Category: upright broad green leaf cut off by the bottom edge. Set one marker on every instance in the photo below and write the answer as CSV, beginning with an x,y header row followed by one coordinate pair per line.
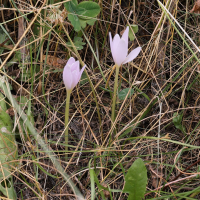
x,y
136,180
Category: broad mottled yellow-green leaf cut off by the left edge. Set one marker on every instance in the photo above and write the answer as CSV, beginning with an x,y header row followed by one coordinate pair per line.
x,y
8,151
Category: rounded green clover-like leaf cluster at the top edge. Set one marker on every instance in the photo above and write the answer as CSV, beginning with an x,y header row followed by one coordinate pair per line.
x,y
82,13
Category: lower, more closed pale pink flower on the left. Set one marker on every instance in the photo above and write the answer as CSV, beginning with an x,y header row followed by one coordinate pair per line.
x,y
72,73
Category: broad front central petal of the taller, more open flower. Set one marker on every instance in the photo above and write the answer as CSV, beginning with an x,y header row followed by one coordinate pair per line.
x,y
120,53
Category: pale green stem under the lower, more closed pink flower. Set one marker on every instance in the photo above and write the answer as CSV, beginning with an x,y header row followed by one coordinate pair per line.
x,y
66,122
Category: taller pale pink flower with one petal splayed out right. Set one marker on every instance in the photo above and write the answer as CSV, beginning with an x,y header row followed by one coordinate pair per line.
x,y
119,49
